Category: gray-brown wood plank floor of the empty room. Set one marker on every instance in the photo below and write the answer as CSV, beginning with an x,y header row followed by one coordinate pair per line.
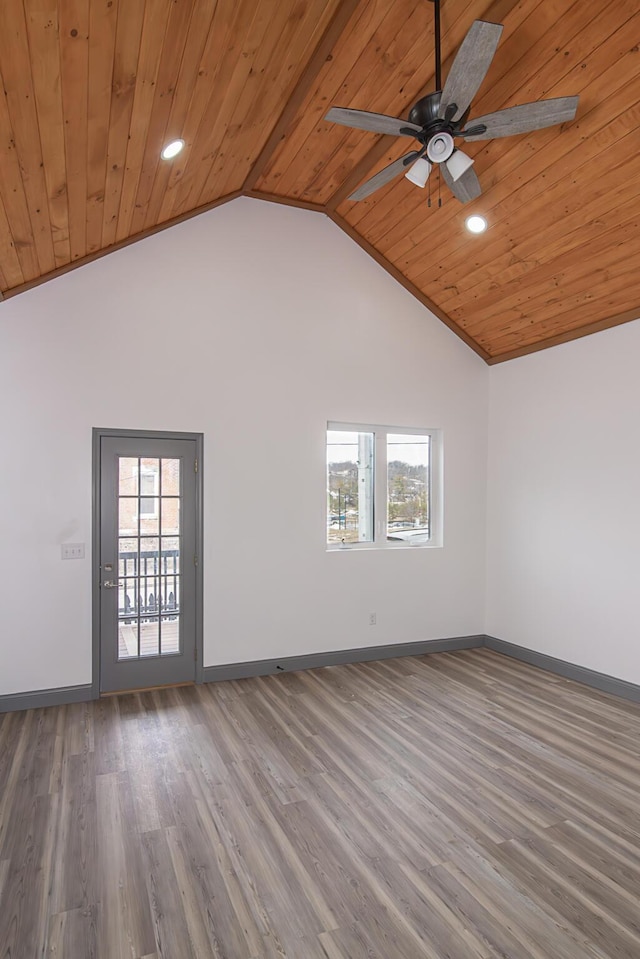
x,y
452,806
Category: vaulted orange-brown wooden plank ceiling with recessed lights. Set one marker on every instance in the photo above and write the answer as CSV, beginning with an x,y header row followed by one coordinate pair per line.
x,y
93,89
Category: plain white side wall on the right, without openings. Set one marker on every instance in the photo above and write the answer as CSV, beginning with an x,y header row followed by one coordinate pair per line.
x,y
564,502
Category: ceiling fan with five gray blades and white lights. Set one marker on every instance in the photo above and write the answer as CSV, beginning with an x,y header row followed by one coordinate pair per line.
x,y
436,120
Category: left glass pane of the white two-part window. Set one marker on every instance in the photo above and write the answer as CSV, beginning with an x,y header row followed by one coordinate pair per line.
x,y
349,487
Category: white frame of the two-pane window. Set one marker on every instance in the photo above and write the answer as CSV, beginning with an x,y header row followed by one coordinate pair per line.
x,y
435,481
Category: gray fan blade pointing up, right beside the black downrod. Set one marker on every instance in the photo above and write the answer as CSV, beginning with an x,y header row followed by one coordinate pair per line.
x,y
469,68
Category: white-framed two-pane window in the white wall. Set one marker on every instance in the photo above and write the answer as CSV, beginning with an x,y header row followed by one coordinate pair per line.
x,y
383,486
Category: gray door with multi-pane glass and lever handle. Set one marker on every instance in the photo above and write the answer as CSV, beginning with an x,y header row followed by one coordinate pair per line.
x,y
147,556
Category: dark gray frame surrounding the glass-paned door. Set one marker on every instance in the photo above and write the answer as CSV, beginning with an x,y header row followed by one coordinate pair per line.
x,y
97,434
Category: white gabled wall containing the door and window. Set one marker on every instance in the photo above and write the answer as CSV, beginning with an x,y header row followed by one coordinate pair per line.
x,y
268,322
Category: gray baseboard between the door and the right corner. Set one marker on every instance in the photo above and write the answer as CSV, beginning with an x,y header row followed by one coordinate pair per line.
x,y
337,657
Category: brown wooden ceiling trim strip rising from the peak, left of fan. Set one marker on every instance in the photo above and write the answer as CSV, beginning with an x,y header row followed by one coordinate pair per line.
x,y
339,20
